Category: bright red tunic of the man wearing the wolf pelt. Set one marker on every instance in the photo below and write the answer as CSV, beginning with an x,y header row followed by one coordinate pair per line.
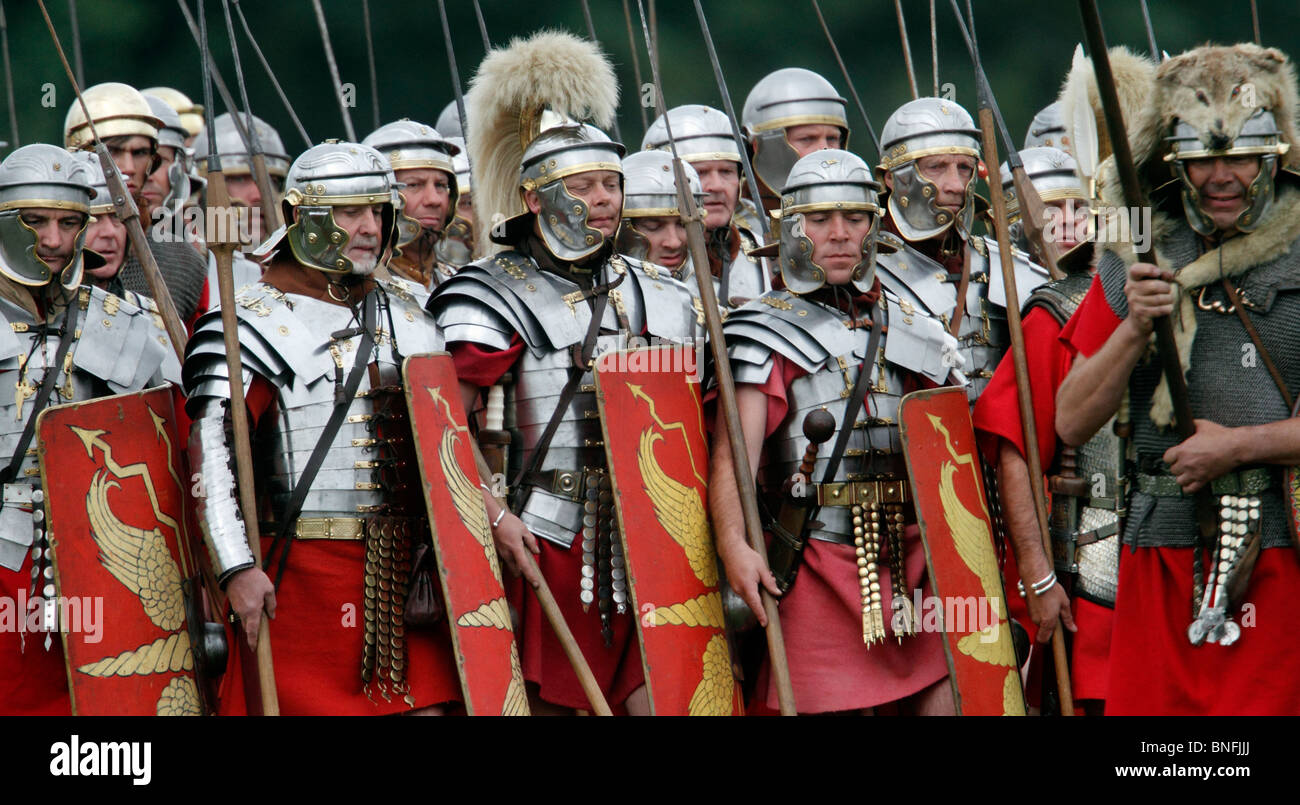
x,y
1154,666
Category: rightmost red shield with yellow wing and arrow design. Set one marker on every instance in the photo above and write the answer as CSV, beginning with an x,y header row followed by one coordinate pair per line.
x,y
939,443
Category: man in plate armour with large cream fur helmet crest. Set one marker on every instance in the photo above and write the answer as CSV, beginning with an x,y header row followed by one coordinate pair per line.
x,y
539,311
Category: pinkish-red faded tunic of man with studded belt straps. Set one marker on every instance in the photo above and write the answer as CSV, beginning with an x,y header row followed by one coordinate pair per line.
x,y
831,669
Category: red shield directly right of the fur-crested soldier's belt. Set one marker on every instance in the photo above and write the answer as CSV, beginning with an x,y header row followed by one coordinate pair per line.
x,y
655,438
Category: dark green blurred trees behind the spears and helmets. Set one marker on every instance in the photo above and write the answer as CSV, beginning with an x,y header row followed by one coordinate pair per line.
x,y
1026,49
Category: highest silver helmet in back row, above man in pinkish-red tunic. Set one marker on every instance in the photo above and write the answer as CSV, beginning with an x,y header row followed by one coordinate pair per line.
x,y
791,97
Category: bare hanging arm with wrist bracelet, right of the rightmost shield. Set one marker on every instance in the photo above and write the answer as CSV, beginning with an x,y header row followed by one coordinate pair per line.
x,y
1022,526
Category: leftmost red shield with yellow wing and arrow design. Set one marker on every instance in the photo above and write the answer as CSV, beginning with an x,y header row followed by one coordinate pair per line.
x,y
116,516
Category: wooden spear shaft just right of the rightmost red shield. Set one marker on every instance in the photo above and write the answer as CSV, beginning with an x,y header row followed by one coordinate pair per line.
x,y
1024,393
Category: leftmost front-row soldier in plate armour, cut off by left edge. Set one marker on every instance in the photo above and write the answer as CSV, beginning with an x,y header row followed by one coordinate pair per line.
x,y
45,197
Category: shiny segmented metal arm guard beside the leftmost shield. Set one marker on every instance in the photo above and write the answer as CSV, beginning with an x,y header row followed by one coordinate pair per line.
x,y
218,496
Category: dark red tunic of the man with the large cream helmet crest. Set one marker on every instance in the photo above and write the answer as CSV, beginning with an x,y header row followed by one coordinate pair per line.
x,y
617,669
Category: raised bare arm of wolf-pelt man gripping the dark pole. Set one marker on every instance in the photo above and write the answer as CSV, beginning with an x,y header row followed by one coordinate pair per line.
x,y
1095,387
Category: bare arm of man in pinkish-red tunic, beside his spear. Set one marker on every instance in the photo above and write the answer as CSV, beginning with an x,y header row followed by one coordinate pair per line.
x,y
746,568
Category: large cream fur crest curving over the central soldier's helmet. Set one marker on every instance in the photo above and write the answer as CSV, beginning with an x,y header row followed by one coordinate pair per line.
x,y
549,70
